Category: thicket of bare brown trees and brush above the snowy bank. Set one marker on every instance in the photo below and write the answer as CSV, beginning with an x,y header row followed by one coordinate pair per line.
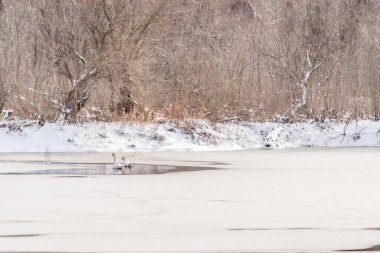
x,y
251,59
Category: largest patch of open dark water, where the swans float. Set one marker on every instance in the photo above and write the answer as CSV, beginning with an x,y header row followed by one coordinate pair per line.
x,y
82,170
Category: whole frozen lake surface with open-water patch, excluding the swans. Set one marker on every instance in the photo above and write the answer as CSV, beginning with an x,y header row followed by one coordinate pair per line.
x,y
241,201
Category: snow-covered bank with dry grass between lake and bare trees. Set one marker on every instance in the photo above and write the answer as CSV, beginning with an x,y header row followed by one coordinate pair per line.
x,y
193,135
